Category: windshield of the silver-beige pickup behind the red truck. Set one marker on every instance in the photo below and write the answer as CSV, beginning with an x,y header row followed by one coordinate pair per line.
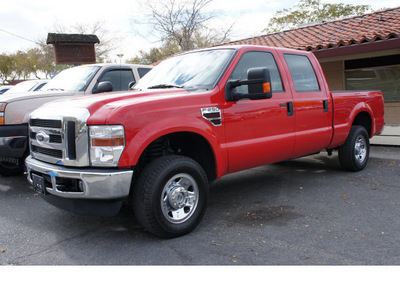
x,y
74,79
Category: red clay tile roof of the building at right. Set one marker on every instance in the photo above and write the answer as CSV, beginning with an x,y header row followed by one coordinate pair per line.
x,y
380,25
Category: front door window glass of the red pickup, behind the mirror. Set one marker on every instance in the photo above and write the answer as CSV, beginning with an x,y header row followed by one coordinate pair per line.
x,y
256,59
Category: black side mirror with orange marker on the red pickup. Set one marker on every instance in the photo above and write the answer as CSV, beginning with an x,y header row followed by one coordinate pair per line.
x,y
258,82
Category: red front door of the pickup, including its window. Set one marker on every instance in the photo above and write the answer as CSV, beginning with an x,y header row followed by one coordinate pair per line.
x,y
259,132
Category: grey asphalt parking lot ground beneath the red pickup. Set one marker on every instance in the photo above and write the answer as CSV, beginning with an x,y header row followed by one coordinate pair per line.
x,y
306,211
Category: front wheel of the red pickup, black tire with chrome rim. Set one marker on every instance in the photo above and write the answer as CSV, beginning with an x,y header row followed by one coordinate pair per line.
x,y
170,196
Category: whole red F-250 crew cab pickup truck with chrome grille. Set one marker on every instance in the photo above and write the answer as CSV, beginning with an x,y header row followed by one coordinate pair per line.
x,y
194,118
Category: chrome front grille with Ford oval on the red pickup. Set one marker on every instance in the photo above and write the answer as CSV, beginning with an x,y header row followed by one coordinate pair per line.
x,y
61,140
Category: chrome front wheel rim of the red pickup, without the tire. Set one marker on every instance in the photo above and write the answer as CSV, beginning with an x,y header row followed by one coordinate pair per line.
x,y
179,198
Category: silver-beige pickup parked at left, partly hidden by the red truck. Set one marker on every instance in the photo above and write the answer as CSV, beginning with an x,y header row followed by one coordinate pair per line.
x,y
78,81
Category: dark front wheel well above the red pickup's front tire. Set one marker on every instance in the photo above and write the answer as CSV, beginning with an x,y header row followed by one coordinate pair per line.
x,y
181,143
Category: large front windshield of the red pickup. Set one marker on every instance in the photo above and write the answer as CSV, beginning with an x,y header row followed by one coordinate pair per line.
x,y
193,70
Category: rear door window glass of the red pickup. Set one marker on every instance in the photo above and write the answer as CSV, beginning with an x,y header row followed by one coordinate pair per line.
x,y
302,72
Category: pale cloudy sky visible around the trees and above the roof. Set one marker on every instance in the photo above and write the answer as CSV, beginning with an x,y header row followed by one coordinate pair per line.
x,y
24,22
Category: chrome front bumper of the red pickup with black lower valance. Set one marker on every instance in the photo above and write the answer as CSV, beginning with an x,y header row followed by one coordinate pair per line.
x,y
82,191
